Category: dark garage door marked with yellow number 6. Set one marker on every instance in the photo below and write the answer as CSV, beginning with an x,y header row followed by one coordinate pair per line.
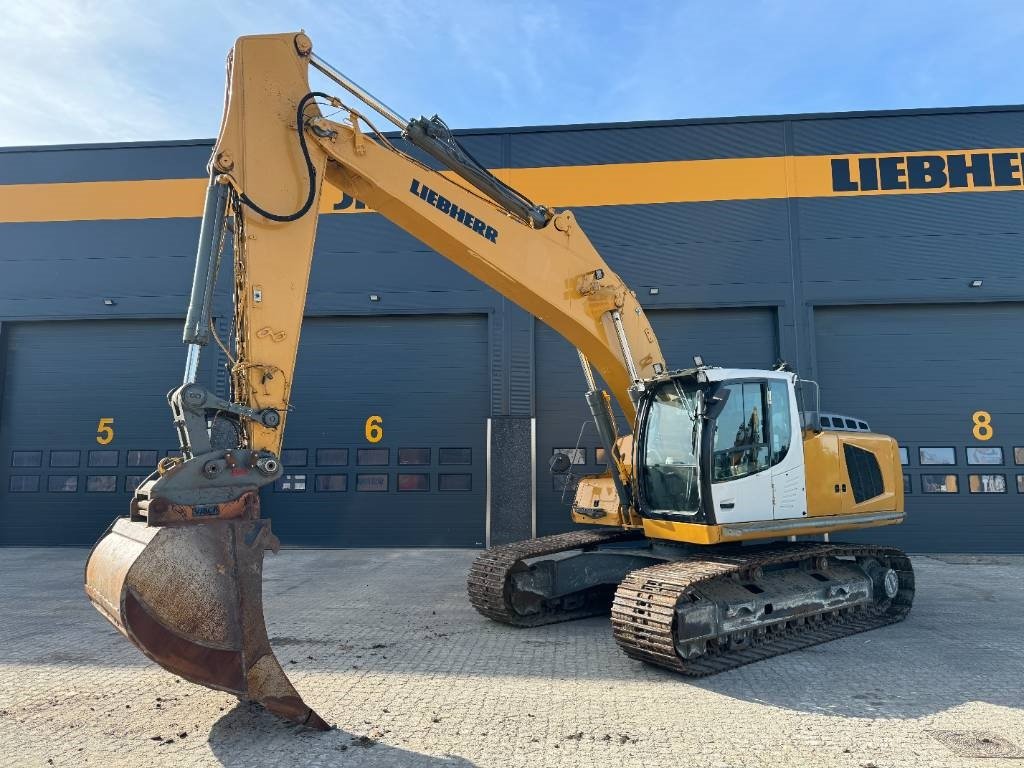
x,y
387,443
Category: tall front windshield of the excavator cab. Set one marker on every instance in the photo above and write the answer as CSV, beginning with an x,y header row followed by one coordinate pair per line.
x,y
671,478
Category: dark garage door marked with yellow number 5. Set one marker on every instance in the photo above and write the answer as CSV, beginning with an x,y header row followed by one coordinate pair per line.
x,y
84,418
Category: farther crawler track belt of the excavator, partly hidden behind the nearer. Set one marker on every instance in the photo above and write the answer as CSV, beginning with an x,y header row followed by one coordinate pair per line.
x,y
489,583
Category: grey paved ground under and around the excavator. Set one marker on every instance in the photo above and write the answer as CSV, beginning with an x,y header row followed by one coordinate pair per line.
x,y
385,645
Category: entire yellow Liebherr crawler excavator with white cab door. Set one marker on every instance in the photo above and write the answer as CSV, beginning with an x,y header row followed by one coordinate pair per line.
x,y
719,459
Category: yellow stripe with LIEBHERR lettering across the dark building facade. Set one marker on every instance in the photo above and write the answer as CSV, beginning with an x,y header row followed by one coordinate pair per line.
x,y
579,187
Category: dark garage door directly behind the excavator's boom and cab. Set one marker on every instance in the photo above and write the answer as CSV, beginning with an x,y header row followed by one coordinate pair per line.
x,y
736,338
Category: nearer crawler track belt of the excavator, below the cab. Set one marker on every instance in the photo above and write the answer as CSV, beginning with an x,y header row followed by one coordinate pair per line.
x,y
644,611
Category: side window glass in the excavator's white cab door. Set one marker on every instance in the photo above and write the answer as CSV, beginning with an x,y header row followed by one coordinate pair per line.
x,y
741,443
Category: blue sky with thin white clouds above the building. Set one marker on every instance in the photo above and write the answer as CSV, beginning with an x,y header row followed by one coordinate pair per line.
x,y
116,71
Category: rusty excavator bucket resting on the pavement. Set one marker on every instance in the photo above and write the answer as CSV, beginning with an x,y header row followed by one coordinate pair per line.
x,y
191,598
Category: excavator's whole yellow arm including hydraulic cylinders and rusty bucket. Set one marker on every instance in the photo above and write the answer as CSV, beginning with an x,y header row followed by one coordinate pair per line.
x,y
182,576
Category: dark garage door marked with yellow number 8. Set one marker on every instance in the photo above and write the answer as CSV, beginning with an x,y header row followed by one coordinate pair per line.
x,y
946,382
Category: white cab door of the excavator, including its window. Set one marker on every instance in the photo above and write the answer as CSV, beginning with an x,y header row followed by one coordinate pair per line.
x,y
742,482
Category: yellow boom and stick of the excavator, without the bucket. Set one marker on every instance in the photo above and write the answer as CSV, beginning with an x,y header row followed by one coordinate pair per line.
x,y
276,151
